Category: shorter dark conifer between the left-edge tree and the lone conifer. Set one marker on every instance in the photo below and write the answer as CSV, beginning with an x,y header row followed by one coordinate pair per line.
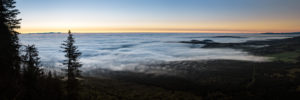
x,y
31,73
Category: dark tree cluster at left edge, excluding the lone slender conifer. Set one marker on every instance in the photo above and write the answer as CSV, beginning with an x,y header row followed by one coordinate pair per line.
x,y
30,83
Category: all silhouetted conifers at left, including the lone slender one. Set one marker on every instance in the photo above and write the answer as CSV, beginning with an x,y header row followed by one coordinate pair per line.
x,y
21,77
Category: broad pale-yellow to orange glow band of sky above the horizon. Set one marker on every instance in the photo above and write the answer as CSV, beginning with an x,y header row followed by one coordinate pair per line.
x,y
204,27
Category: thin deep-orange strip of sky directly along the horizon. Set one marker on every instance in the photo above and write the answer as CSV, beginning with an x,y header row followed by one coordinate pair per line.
x,y
145,30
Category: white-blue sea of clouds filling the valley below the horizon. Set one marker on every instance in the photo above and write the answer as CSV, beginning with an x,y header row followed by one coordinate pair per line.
x,y
127,51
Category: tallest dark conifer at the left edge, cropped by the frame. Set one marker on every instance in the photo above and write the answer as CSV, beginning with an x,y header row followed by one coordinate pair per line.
x,y
9,50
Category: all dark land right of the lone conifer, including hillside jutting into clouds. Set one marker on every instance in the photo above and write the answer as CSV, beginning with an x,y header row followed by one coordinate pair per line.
x,y
212,79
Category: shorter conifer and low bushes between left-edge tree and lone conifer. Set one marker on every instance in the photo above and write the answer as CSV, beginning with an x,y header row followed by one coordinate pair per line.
x,y
37,85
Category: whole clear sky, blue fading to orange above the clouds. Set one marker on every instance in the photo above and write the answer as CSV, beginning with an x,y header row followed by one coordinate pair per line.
x,y
165,16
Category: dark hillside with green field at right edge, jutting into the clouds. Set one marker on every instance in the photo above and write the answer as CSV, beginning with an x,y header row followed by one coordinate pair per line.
x,y
286,50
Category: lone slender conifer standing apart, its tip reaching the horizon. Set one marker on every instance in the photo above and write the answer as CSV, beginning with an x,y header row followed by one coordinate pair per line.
x,y
73,65
